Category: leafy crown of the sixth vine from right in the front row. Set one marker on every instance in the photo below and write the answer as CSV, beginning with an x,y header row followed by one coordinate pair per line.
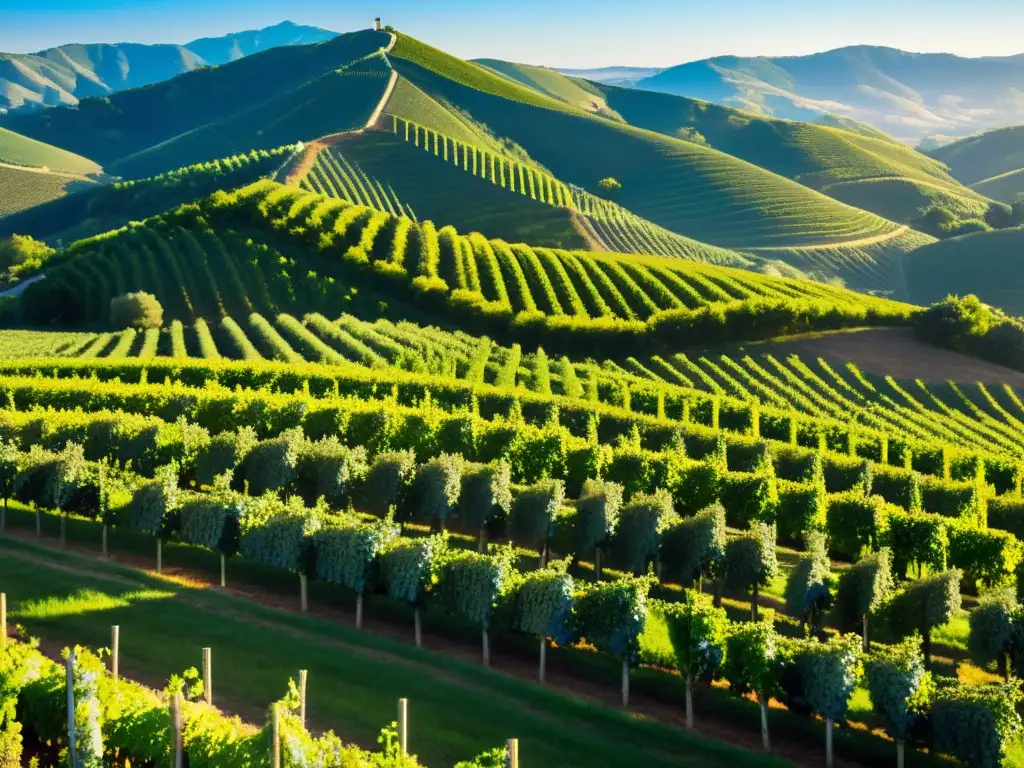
x,y
612,616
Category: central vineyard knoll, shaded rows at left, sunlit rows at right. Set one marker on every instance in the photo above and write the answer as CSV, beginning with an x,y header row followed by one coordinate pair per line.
x,y
227,260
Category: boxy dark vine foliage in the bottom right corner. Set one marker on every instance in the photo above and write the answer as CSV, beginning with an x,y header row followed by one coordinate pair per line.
x,y
976,723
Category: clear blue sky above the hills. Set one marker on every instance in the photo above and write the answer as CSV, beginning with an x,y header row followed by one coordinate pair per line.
x,y
559,33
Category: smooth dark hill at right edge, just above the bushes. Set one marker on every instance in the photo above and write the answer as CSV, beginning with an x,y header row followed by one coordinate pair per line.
x,y
986,264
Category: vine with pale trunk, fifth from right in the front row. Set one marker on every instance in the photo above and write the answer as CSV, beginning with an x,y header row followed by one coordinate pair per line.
x,y
698,630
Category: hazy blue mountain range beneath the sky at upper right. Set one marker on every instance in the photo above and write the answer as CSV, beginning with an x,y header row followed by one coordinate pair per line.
x,y
910,96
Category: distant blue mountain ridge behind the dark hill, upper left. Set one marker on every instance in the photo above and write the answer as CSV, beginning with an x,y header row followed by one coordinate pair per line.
x,y
63,76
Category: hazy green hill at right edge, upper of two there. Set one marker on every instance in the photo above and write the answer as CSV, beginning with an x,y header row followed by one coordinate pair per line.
x,y
990,162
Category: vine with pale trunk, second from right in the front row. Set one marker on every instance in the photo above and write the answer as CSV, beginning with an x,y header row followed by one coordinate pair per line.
x,y
901,689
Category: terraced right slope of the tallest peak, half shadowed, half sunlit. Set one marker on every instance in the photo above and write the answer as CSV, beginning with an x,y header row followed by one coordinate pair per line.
x,y
682,187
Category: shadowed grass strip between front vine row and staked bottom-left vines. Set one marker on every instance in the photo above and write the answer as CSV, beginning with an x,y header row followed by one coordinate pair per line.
x,y
457,709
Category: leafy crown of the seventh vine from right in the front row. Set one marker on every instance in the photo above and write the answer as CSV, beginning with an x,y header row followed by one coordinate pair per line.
x,y
543,604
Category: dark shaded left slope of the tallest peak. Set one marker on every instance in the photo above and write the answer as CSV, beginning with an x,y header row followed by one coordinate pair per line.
x,y
215,113
